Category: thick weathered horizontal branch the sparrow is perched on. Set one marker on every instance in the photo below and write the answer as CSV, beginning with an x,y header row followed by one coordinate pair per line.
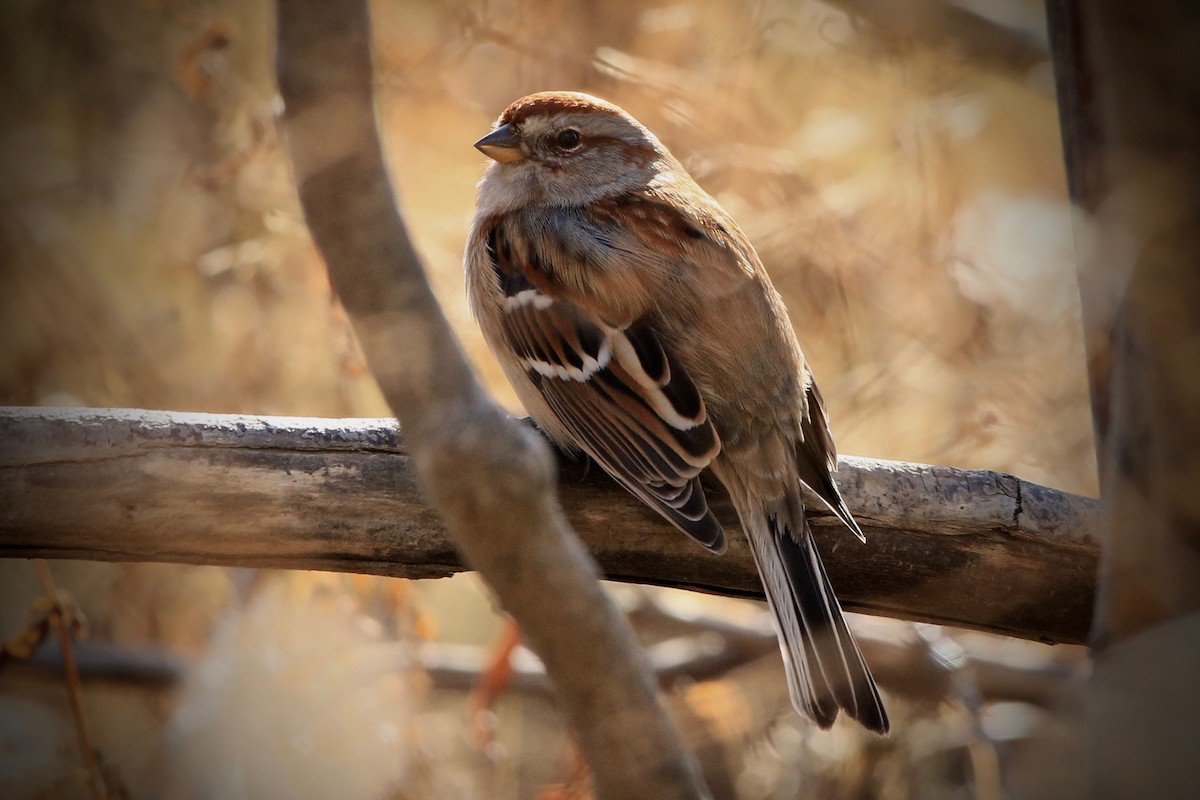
x,y
971,549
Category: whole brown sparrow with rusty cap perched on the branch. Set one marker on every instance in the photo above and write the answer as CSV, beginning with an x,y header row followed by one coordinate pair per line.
x,y
637,324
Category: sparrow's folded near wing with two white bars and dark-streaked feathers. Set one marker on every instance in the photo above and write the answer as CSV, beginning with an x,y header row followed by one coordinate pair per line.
x,y
622,398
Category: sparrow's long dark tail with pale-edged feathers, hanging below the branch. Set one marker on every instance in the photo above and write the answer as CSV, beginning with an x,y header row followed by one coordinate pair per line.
x,y
826,671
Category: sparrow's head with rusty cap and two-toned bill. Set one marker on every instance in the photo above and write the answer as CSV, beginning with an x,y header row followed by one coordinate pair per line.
x,y
563,148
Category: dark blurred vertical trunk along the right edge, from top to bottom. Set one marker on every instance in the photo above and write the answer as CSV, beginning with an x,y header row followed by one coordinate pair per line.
x,y
1130,89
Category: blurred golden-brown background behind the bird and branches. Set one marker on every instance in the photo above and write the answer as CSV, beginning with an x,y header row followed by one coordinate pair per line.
x,y
898,166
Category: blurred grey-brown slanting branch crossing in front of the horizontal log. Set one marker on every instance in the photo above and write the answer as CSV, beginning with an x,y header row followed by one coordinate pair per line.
x,y
490,479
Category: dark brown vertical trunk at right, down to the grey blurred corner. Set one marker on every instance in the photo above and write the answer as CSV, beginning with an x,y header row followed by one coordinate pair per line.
x,y
1131,101
